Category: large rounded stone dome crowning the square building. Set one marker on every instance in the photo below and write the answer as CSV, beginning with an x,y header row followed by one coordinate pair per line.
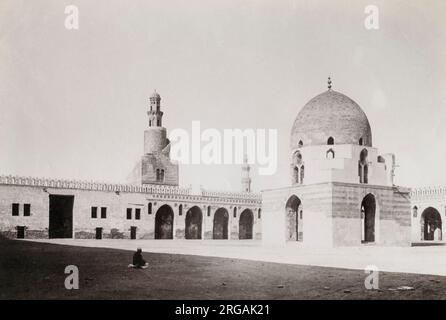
x,y
331,114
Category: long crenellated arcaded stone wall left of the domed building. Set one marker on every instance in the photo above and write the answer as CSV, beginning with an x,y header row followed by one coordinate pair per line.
x,y
116,225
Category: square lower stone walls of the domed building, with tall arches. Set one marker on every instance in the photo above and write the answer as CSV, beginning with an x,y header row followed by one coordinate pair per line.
x,y
332,214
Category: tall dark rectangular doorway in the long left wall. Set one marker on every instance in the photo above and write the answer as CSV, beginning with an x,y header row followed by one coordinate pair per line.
x,y
61,216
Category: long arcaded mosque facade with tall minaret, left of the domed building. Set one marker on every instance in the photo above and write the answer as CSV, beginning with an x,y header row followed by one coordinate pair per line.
x,y
153,206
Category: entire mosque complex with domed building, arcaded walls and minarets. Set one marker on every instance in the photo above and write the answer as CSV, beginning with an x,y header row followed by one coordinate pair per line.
x,y
341,193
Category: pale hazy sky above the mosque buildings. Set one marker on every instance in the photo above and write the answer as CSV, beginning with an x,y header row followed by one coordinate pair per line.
x,y
73,103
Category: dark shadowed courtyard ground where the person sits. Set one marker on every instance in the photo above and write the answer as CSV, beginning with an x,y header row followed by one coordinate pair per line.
x,y
35,270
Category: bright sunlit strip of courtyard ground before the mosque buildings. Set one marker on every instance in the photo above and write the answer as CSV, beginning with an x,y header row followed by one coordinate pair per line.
x,y
419,259
